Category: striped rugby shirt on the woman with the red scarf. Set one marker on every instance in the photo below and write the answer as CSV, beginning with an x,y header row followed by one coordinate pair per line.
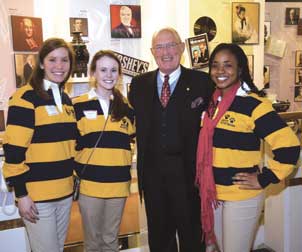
x,y
237,145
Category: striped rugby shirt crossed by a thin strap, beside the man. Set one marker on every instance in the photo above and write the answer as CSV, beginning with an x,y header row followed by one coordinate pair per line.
x,y
108,173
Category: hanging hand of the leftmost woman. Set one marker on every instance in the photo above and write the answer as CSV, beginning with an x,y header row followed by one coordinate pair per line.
x,y
28,209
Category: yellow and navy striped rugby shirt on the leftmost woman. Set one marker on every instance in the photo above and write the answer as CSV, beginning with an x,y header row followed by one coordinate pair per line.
x,y
39,146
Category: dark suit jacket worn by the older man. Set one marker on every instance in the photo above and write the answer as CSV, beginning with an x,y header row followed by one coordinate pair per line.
x,y
196,91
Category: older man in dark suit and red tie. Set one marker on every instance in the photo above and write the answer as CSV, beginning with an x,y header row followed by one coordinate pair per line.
x,y
168,103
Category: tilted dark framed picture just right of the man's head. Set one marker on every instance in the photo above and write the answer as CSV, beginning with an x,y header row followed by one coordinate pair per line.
x,y
198,50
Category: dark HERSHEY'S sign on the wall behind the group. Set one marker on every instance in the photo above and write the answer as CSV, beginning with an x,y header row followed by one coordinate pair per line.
x,y
132,66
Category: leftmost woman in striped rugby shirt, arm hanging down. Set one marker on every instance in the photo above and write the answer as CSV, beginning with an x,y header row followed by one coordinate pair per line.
x,y
39,147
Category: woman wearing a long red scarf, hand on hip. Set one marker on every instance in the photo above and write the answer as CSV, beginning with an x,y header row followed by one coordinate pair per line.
x,y
229,156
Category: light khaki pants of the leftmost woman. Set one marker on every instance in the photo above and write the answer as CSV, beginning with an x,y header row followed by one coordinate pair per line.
x,y
49,232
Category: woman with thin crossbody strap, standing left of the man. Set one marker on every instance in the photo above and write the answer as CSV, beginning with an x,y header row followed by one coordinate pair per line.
x,y
106,125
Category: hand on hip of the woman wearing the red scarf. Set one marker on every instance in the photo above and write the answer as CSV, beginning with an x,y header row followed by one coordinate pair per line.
x,y
247,181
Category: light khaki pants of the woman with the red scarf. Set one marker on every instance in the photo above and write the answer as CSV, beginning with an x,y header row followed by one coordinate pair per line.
x,y
236,223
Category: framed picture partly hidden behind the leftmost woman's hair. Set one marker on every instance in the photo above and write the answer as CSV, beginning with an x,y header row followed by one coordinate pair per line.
x,y
24,65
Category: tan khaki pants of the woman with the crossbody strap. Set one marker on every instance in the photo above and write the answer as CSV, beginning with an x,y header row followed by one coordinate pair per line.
x,y
101,222
